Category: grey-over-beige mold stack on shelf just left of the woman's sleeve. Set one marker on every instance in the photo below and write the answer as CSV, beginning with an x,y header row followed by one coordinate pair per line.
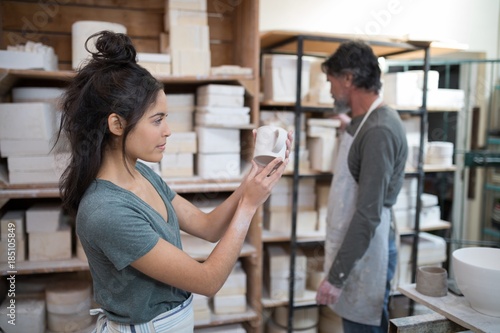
x,y
49,235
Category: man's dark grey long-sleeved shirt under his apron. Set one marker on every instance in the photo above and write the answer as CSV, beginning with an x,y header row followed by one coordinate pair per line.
x,y
376,160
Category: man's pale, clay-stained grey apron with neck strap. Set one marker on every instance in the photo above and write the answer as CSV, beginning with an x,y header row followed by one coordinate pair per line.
x,y
362,297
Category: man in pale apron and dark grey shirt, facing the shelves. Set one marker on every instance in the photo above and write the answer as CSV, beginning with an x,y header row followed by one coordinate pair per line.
x,y
360,251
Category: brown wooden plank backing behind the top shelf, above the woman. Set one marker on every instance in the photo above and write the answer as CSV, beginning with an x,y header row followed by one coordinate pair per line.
x,y
50,23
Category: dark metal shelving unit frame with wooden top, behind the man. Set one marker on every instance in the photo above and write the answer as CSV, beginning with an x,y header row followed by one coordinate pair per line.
x,y
302,44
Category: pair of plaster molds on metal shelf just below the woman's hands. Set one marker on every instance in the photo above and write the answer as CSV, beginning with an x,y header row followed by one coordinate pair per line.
x,y
278,208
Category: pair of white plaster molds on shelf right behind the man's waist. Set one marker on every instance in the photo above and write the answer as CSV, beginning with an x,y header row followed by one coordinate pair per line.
x,y
405,207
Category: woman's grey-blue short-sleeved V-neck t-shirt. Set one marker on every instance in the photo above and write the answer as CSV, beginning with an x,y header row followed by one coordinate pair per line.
x,y
116,228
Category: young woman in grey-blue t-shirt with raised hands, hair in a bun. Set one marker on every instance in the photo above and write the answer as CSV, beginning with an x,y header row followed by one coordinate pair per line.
x,y
127,218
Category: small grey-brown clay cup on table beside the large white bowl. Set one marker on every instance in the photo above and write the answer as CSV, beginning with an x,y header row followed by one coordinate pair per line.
x,y
432,281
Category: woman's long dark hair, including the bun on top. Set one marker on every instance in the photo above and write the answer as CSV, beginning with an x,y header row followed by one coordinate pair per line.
x,y
110,82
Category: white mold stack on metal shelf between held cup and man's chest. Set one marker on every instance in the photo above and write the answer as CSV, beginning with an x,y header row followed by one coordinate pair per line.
x,y
321,139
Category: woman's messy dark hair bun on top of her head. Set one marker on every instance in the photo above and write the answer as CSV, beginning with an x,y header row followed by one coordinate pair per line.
x,y
112,47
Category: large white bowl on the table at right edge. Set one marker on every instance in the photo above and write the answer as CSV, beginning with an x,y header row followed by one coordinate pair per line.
x,y
477,273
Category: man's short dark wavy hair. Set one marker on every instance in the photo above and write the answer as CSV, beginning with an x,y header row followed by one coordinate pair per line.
x,y
357,58
